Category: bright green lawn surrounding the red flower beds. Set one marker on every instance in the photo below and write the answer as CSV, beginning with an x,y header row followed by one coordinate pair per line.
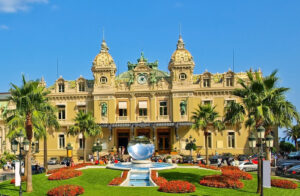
x,y
95,183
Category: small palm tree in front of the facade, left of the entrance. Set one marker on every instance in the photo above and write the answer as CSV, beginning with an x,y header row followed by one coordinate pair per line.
x,y
86,125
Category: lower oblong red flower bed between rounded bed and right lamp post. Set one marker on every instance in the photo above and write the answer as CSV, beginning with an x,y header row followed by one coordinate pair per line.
x,y
220,181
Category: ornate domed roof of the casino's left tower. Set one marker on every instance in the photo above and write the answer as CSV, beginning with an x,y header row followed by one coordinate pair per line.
x,y
104,59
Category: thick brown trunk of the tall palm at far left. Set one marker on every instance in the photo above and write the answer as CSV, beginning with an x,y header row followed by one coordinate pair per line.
x,y
29,137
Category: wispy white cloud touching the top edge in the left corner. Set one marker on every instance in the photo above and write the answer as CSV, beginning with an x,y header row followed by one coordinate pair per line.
x,y
12,6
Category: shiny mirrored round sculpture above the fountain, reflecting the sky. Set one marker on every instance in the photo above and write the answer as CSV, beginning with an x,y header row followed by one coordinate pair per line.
x,y
140,148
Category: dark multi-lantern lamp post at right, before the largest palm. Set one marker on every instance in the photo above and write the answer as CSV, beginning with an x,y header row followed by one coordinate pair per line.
x,y
268,141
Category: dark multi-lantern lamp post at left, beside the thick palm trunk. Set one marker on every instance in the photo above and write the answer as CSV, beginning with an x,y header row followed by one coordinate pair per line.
x,y
22,146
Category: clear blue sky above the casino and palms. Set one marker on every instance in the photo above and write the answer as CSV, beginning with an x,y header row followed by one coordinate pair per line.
x,y
34,33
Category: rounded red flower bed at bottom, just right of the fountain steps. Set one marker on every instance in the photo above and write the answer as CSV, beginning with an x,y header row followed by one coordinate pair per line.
x,y
177,186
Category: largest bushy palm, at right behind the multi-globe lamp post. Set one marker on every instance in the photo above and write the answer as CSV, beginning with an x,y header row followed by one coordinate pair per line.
x,y
264,104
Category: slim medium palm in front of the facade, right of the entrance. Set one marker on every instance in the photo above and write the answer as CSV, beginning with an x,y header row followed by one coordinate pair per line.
x,y
203,117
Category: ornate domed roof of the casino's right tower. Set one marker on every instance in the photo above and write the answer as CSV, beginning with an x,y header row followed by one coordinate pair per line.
x,y
181,56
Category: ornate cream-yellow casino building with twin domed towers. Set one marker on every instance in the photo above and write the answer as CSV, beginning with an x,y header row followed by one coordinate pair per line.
x,y
142,101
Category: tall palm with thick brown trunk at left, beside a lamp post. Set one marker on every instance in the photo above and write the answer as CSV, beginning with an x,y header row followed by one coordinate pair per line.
x,y
28,98
